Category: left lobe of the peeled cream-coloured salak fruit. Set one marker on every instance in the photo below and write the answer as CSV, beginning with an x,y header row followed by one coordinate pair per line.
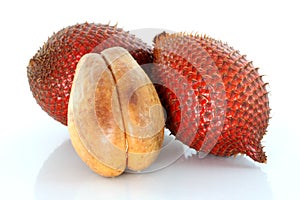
x,y
96,138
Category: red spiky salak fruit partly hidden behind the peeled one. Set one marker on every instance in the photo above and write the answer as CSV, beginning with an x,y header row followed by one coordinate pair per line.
x,y
51,70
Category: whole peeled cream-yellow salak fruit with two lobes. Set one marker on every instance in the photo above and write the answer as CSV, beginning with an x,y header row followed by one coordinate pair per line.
x,y
115,117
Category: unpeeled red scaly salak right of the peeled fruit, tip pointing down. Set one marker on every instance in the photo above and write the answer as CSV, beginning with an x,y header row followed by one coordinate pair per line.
x,y
215,100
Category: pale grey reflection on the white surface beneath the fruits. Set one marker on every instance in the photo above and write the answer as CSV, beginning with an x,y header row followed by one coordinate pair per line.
x,y
64,176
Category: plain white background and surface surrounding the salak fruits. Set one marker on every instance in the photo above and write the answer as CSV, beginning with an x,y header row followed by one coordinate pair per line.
x,y
37,160
